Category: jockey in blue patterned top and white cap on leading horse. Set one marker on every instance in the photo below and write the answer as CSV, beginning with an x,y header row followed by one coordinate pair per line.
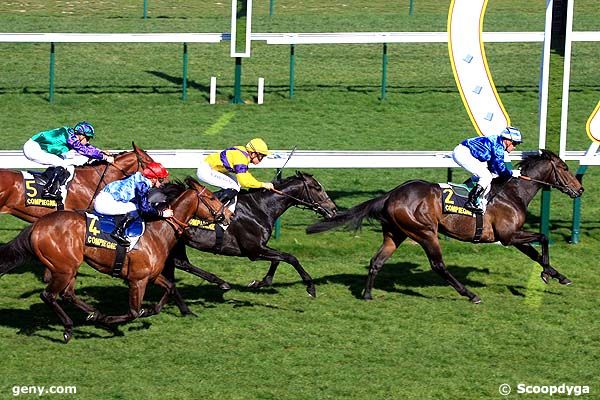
x,y
483,156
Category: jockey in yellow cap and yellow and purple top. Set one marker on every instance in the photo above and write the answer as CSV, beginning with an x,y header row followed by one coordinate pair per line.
x,y
228,170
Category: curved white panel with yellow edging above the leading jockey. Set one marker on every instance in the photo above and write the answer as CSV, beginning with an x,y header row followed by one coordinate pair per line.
x,y
470,67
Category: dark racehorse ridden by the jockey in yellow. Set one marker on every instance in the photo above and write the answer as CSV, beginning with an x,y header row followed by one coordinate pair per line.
x,y
251,228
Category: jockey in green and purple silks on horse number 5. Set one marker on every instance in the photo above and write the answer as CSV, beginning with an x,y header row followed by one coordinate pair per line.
x,y
63,148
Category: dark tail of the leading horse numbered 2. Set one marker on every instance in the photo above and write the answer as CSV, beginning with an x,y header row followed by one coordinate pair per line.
x,y
352,218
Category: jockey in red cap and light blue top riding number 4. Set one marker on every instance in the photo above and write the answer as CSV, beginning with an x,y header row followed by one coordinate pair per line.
x,y
129,195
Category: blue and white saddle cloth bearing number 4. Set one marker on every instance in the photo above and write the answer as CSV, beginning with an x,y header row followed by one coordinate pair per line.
x,y
100,226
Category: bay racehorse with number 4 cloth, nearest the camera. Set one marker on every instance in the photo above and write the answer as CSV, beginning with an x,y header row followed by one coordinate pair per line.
x,y
57,241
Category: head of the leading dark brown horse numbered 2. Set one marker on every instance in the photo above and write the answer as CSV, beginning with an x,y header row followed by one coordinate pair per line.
x,y
548,168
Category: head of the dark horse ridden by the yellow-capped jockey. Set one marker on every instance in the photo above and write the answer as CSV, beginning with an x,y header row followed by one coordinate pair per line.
x,y
309,193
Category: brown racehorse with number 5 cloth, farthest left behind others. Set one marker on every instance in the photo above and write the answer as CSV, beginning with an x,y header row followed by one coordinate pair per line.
x,y
88,180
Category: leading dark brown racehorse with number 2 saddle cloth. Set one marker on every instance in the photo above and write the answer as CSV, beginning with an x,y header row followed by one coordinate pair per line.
x,y
414,210
